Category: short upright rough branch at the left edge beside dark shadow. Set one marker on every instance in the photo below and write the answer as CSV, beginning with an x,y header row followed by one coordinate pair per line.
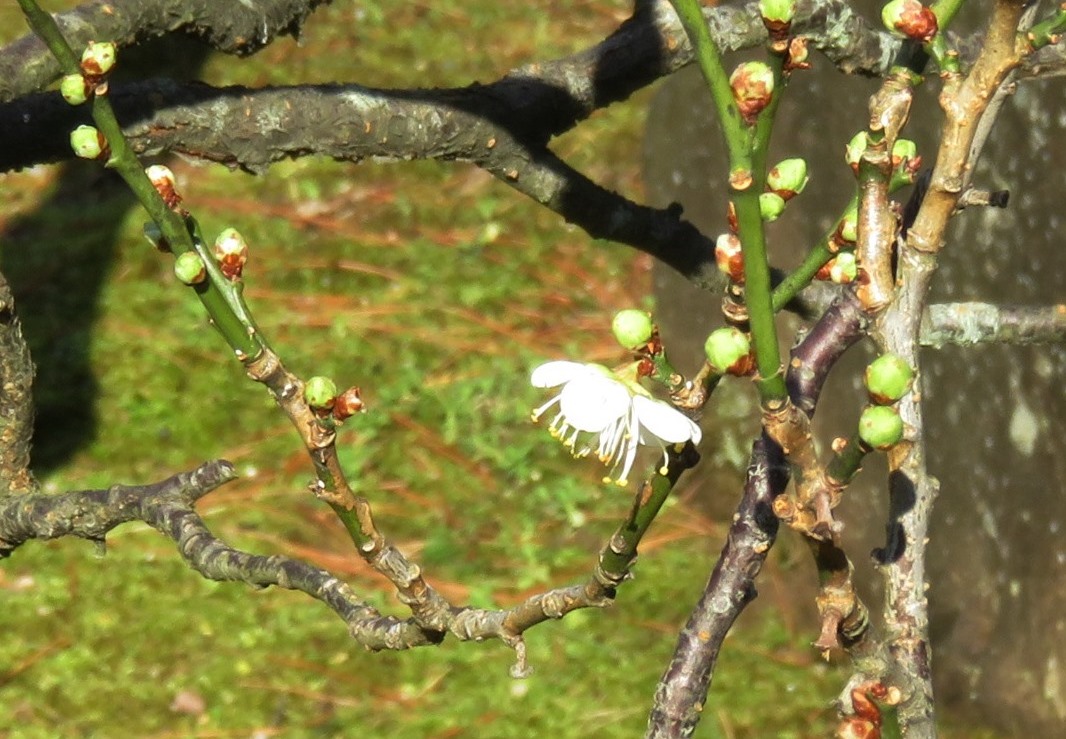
x,y
17,401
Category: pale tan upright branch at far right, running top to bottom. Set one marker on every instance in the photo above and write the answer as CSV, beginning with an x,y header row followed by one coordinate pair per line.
x,y
912,489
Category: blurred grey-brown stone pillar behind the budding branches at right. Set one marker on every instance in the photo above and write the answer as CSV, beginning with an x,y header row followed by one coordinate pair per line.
x,y
997,415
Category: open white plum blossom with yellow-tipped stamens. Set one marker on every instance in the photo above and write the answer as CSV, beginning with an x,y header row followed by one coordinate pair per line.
x,y
613,408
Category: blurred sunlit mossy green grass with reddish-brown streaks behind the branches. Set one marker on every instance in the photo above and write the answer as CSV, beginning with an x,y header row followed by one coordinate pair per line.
x,y
367,275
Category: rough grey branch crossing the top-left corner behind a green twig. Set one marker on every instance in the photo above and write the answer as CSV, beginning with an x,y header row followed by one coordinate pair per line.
x,y
233,27
